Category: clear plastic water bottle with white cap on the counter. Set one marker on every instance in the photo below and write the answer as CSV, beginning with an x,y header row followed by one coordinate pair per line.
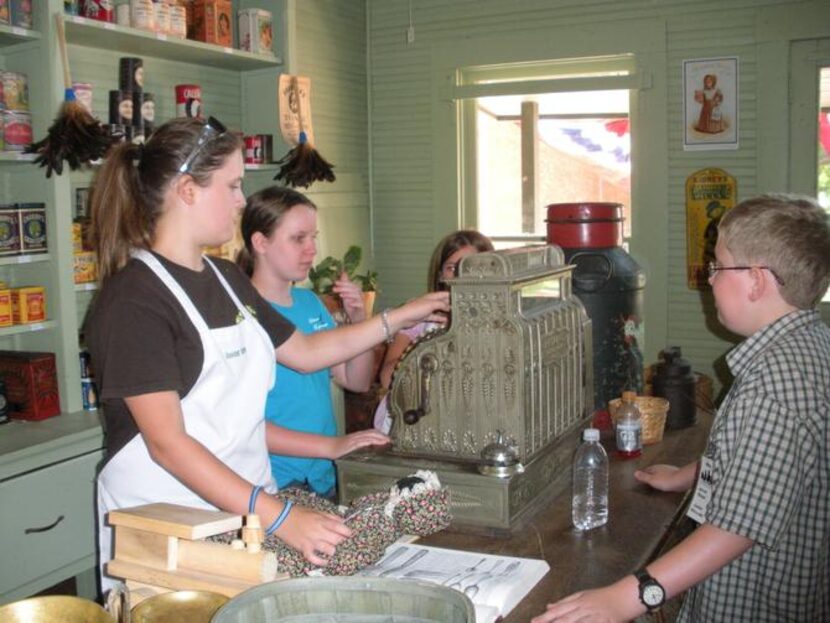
x,y
589,508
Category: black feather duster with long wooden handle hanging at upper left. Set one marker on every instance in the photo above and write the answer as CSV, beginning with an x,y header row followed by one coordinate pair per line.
x,y
75,135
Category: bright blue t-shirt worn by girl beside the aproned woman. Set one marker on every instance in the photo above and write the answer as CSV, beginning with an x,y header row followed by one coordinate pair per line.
x,y
302,402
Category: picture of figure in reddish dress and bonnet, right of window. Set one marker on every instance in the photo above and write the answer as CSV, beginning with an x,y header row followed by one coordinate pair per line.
x,y
710,103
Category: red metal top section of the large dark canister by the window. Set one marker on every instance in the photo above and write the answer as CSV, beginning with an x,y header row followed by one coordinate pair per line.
x,y
589,225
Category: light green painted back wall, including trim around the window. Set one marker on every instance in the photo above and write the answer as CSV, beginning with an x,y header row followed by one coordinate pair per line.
x,y
414,131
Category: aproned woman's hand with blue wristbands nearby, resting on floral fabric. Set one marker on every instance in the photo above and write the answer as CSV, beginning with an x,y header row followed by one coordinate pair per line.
x,y
314,534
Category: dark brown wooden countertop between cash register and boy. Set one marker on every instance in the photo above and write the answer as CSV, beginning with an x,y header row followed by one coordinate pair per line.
x,y
640,520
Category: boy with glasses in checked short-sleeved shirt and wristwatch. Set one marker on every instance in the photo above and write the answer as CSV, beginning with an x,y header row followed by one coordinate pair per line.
x,y
762,495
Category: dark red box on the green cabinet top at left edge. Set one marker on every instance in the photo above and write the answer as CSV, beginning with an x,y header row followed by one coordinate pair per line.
x,y
31,384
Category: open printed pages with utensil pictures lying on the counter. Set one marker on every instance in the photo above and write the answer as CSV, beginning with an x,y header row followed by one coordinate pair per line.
x,y
495,584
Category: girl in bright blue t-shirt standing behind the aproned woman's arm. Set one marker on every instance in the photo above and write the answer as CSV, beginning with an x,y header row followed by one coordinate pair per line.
x,y
279,228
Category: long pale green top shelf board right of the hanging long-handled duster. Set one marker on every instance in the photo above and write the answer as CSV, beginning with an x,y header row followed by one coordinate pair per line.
x,y
108,36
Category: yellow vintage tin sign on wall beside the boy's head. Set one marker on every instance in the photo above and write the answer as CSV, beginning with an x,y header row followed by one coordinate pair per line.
x,y
709,194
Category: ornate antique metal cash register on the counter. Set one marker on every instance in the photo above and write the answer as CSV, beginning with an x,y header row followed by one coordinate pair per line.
x,y
495,402
